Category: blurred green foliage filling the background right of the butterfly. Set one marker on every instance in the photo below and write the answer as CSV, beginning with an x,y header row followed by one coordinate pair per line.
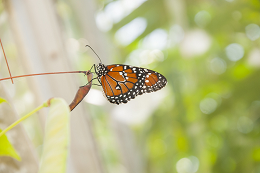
x,y
212,115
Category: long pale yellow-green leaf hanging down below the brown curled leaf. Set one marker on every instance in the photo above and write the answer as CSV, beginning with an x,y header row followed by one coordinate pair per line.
x,y
56,140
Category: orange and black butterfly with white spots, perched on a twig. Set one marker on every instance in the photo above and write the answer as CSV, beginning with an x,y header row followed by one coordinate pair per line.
x,y
122,83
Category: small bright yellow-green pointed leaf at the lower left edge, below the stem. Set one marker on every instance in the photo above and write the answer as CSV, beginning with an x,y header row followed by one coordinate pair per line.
x,y
6,148
